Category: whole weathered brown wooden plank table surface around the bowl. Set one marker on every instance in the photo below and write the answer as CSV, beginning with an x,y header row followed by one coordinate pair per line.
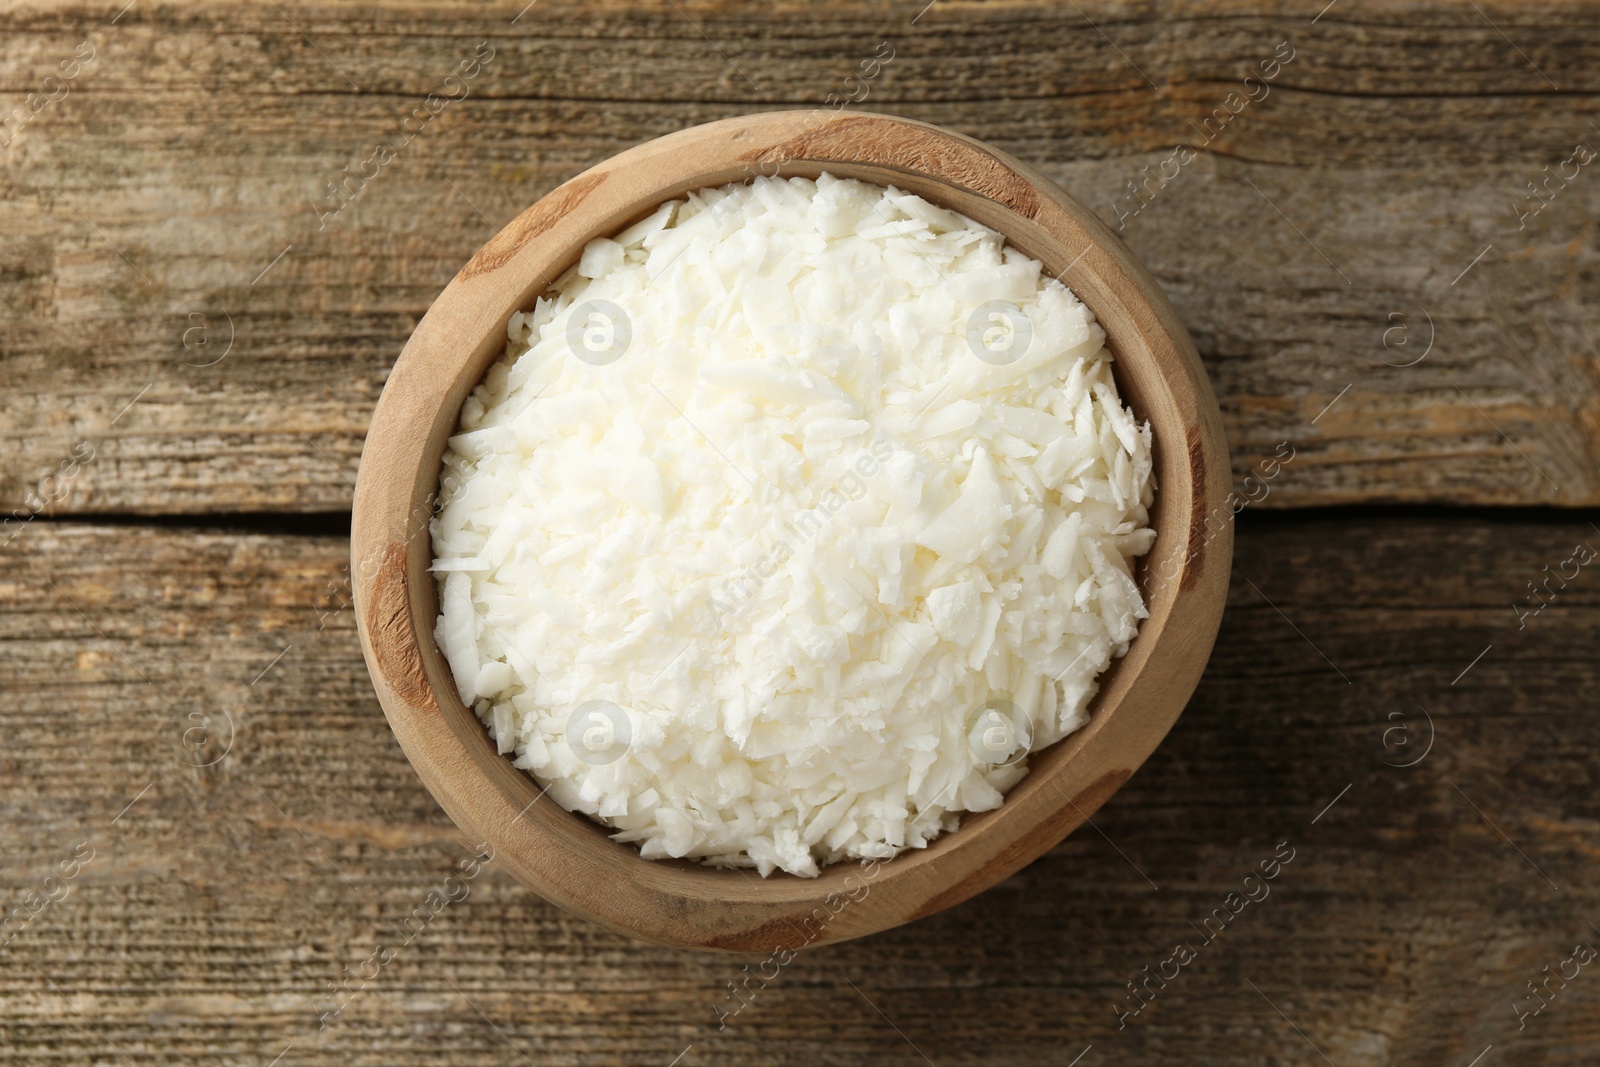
x,y
207,823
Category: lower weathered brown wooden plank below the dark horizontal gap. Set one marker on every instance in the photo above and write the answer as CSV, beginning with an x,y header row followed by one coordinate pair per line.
x,y
217,909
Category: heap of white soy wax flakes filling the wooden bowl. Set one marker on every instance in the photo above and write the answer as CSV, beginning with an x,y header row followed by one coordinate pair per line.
x,y
794,518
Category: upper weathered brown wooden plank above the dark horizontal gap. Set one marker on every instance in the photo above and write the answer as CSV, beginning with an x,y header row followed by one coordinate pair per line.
x,y
182,175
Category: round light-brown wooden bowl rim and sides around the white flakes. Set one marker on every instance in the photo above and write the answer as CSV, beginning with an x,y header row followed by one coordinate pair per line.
x,y
567,858
